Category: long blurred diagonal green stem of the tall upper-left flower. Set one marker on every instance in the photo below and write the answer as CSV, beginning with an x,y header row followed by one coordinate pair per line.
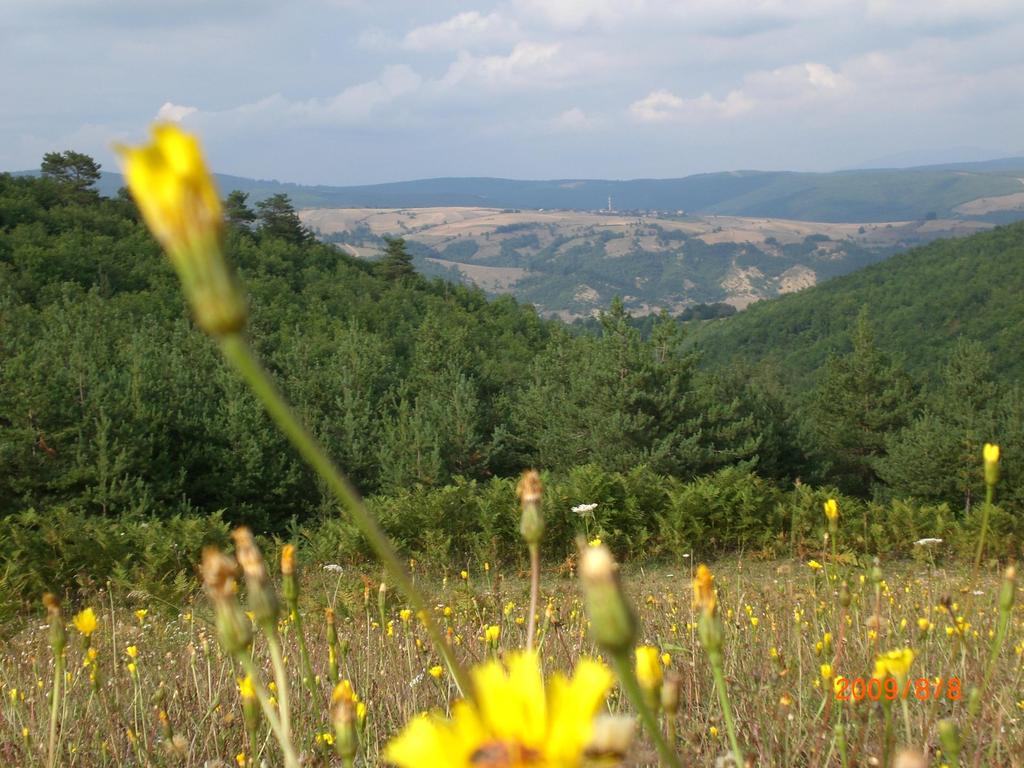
x,y
240,355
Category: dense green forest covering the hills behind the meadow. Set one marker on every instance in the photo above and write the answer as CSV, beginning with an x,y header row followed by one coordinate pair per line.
x,y
112,403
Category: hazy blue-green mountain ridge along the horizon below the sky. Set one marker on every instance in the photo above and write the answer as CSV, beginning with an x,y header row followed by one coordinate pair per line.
x,y
858,196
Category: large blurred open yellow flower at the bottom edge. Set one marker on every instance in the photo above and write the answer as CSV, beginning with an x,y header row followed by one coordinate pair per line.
x,y
516,724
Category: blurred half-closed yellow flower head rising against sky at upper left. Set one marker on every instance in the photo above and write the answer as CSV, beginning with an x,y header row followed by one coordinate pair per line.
x,y
176,194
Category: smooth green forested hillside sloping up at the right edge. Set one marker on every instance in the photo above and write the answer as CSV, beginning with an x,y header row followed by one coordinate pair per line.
x,y
920,302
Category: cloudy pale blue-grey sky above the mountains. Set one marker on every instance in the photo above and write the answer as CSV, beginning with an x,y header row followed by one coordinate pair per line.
x,y
361,92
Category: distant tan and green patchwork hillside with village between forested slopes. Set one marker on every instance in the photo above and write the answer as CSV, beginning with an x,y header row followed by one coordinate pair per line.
x,y
572,264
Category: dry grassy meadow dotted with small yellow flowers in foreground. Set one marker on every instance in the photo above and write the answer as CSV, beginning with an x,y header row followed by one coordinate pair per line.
x,y
158,691
